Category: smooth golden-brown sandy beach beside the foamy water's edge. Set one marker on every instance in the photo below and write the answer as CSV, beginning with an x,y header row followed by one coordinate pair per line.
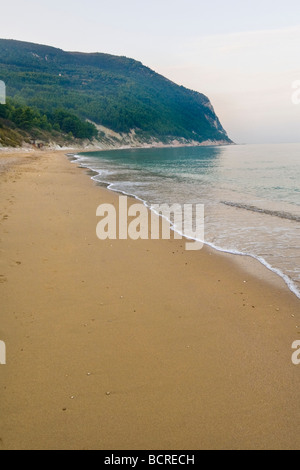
x,y
133,344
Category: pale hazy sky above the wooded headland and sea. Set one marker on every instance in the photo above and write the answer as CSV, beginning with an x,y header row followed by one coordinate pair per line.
x,y
244,55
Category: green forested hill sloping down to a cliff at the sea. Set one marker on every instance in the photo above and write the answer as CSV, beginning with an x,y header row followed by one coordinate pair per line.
x,y
118,93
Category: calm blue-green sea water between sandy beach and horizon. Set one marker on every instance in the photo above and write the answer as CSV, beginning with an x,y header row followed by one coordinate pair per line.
x,y
251,194
